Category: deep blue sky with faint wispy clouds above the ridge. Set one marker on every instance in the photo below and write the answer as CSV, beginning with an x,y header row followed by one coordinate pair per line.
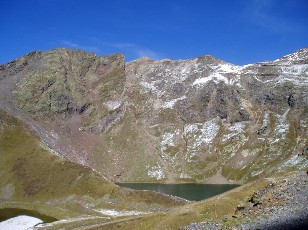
x,y
239,31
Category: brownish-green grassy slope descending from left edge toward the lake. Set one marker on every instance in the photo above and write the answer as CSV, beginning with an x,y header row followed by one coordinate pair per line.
x,y
33,178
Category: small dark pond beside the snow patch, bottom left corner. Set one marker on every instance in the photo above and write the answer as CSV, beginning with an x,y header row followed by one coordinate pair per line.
x,y
7,213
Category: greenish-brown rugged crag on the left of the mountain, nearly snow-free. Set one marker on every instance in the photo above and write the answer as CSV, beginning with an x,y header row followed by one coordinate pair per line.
x,y
65,83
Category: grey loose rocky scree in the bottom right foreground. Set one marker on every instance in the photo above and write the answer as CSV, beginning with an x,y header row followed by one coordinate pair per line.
x,y
280,205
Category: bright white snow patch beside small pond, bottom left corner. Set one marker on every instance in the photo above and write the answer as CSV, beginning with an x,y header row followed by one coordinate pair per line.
x,y
20,223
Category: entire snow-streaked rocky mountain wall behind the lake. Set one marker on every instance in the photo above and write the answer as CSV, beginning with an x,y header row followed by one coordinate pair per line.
x,y
190,120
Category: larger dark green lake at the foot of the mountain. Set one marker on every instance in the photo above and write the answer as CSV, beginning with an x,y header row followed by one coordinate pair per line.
x,y
187,191
